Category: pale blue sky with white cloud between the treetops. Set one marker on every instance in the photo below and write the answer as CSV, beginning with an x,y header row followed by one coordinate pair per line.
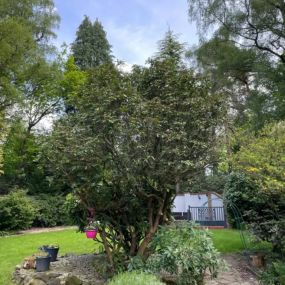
x,y
133,26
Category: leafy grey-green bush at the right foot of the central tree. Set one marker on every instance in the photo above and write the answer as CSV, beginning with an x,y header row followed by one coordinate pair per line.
x,y
184,252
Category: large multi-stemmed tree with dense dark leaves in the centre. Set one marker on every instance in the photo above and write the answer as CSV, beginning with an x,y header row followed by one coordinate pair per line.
x,y
132,139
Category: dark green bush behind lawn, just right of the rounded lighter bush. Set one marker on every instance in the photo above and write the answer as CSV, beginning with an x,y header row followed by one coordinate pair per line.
x,y
50,211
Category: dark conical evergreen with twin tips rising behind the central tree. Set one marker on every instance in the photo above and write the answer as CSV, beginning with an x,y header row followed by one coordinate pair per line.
x,y
91,47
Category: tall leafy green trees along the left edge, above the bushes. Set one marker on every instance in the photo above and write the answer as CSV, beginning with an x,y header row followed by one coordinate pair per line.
x,y
28,84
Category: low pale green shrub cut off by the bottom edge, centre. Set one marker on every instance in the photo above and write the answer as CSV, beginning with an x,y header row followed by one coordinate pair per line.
x,y
134,277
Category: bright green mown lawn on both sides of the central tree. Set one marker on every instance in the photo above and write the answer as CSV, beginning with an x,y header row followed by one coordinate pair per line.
x,y
14,249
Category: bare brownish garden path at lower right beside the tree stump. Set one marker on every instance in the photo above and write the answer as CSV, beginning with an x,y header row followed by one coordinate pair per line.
x,y
238,272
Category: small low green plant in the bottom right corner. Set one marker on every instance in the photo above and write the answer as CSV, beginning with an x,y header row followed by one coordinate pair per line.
x,y
274,274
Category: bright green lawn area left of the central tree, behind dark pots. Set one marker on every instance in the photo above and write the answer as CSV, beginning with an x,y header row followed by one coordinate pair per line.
x,y
14,249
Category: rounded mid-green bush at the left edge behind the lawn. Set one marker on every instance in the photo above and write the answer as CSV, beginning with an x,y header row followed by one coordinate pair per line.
x,y
17,211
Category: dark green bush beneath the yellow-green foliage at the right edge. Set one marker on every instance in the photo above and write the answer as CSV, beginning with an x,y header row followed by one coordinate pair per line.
x,y
264,211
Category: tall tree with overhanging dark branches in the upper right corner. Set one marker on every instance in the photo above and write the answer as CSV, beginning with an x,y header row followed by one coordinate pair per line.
x,y
245,55
